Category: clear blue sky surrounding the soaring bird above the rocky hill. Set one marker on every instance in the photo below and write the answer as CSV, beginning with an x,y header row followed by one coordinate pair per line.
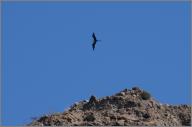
x,y
48,62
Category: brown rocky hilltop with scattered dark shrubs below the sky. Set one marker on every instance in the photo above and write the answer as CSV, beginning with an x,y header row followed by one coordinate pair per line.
x,y
134,107
